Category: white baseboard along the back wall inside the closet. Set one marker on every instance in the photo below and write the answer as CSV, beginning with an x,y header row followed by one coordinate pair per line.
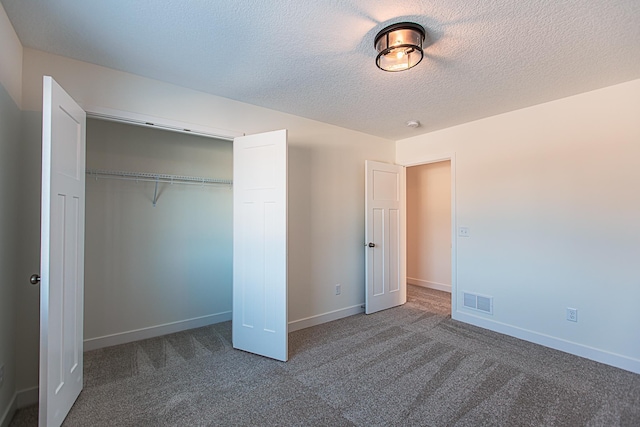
x,y
154,331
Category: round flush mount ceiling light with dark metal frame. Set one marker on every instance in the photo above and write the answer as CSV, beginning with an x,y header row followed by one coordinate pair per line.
x,y
399,46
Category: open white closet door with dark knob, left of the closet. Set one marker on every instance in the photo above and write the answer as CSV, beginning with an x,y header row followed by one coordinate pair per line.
x,y
62,253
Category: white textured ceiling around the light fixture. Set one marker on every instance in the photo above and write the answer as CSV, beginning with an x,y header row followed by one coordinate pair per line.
x,y
316,58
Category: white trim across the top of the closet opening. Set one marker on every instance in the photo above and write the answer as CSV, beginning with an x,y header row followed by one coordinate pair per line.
x,y
137,119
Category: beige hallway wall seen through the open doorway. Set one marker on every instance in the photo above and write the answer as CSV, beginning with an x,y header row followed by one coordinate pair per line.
x,y
429,225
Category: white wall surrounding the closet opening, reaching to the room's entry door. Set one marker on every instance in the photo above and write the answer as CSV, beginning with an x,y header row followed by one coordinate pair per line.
x,y
326,183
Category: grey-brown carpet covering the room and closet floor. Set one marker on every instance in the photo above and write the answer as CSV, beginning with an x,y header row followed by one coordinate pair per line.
x,y
410,365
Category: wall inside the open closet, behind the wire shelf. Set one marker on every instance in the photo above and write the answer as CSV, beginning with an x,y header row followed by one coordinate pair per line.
x,y
151,268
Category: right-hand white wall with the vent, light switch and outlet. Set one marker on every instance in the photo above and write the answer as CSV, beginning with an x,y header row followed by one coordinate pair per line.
x,y
549,194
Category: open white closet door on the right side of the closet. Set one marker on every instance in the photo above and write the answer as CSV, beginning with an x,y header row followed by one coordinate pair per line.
x,y
260,244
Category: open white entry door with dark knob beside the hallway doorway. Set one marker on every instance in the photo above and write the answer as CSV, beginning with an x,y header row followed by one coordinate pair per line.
x,y
385,236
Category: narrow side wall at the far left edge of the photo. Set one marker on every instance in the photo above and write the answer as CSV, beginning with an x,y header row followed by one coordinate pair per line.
x,y
10,100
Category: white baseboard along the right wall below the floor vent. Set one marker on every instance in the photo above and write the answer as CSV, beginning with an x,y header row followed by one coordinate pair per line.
x,y
602,356
